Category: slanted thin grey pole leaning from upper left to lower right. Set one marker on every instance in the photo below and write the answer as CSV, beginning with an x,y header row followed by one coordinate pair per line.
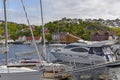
x,y
30,29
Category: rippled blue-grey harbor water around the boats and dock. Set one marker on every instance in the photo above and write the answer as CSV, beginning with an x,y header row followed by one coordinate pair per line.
x,y
104,73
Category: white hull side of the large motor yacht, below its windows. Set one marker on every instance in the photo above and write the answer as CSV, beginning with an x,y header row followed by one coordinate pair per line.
x,y
77,58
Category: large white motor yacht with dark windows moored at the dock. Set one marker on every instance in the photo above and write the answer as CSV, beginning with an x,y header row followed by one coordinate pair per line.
x,y
86,52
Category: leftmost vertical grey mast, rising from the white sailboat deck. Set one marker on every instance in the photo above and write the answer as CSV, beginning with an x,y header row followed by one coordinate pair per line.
x,y
6,33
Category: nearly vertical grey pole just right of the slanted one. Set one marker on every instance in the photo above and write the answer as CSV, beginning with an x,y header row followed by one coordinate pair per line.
x,y
43,30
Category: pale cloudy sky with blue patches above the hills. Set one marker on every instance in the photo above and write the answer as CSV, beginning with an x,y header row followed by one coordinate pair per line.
x,y
58,9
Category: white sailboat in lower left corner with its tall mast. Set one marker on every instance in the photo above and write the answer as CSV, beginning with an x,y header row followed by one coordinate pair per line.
x,y
15,73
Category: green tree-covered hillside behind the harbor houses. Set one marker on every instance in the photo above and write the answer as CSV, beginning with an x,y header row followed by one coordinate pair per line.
x,y
82,29
